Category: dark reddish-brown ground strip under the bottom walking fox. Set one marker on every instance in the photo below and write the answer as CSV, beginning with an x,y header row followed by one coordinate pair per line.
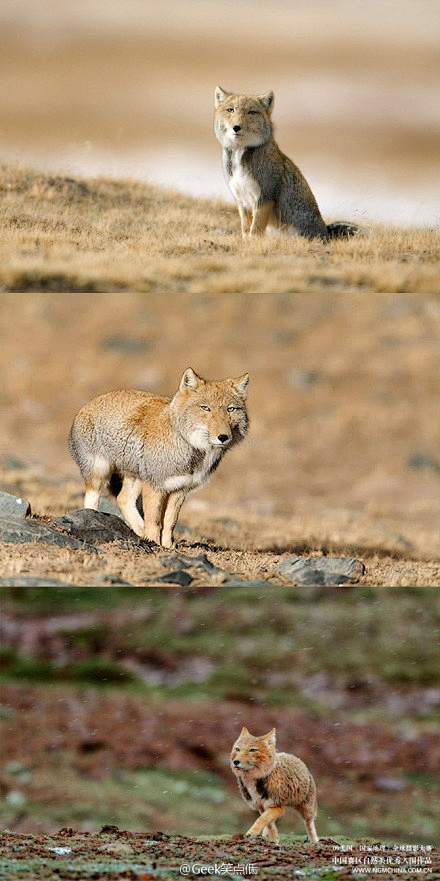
x,y
111,854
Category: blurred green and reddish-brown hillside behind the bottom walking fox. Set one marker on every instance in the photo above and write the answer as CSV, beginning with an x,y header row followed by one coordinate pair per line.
x,y
120,706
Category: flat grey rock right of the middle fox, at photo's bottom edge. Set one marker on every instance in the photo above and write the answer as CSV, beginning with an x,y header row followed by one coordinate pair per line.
x,y
329,571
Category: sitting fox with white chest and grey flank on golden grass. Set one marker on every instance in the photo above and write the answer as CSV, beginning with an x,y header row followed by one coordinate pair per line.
x,y
269,189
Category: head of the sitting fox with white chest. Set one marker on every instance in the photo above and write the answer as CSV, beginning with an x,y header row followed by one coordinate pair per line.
x,y
242,121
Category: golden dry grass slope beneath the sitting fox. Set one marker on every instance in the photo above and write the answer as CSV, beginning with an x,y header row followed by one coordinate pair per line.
x,y
63,233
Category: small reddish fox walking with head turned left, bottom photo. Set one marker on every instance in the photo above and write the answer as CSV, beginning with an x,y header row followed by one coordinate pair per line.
x,y
270,782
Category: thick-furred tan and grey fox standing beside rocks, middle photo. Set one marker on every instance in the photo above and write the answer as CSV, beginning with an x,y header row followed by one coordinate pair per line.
x,y
131,442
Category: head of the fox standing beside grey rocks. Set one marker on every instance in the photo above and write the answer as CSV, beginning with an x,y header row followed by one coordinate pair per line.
x,y
211,415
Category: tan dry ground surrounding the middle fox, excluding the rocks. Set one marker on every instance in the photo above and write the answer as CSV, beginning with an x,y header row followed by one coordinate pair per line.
x,y
342,453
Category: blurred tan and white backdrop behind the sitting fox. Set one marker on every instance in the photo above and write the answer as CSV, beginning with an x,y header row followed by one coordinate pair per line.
x,y
125,87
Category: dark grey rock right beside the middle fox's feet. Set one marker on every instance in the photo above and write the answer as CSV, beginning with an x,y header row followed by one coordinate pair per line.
x,y
97,527
